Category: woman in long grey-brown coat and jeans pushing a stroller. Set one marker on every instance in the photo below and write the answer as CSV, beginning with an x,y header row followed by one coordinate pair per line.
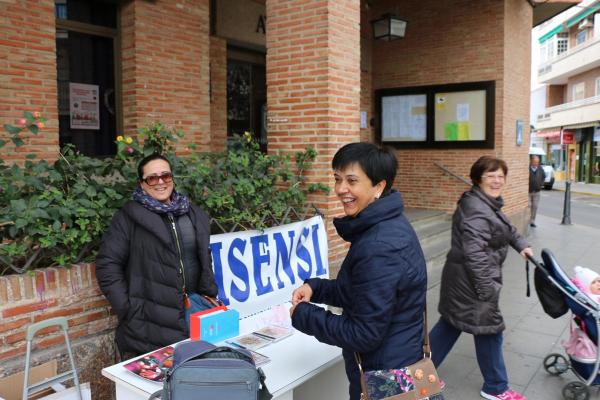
x,y
472,277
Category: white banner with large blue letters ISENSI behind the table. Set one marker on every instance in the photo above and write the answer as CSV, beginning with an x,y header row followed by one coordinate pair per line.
x,y
255,270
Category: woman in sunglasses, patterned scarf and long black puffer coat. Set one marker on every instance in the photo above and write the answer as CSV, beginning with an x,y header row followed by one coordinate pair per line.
x,y
154,254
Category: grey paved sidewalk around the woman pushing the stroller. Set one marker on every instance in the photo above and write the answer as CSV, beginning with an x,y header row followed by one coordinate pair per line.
x,y
530,335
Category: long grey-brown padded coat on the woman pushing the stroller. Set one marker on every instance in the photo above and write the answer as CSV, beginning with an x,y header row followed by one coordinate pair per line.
x,y
472,275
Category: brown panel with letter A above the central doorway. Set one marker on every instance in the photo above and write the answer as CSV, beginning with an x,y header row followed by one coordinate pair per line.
x,y
241,21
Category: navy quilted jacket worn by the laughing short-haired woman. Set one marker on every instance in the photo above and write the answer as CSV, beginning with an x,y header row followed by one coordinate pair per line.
x,y
381,287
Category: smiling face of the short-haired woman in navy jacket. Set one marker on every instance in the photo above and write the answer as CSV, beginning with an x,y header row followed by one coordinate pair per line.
x,y
355,190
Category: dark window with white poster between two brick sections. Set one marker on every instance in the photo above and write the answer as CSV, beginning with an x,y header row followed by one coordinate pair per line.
x,y
85,58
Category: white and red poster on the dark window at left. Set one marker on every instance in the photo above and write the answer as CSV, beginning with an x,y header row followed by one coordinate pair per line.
x,y
84,106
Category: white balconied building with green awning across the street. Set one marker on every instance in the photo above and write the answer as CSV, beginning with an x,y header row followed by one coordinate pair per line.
x,y
570,70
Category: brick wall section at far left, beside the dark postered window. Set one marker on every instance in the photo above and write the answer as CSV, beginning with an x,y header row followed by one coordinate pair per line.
x,y
28,74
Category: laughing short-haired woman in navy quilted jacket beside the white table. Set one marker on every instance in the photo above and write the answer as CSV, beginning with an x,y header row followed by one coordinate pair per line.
x,y
382,282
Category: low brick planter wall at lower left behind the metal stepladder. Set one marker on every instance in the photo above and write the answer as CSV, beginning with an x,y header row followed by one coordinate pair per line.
x,y
70,292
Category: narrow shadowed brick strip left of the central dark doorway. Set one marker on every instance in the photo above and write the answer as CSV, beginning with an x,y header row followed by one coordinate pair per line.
x,y
218,93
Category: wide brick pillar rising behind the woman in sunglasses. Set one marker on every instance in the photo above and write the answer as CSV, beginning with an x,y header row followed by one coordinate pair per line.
x,y
166,67
